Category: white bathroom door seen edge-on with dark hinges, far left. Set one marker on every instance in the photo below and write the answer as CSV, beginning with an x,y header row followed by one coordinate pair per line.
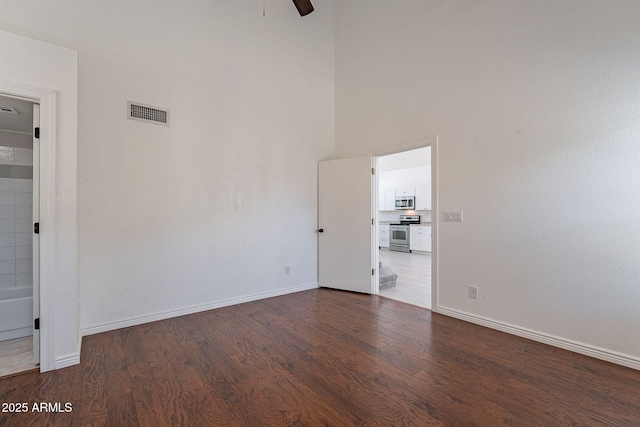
x,y
36,237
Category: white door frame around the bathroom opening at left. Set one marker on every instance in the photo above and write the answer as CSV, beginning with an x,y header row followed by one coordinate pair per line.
x,y
47,98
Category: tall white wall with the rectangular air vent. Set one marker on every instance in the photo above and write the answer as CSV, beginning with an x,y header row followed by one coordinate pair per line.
x,y
211,209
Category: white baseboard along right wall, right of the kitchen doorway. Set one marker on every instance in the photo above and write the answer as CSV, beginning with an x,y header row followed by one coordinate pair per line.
x,y
576,347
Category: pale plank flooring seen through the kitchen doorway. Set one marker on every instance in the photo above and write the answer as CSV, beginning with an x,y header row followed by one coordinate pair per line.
x,y
413,285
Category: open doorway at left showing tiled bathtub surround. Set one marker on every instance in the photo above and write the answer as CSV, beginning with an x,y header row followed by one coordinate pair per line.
x,y
19,246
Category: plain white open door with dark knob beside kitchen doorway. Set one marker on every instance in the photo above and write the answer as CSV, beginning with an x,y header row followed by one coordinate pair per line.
x,y
346,256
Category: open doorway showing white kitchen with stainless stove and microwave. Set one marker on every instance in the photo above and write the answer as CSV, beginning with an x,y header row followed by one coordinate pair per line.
x,y
405,226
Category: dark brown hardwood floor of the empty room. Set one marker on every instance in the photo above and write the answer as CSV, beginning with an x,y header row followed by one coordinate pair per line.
x,y
325,357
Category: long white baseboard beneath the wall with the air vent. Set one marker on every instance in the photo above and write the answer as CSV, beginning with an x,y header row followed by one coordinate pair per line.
x,y
133,321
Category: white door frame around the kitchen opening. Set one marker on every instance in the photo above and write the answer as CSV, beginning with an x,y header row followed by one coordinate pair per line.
x,y
431,141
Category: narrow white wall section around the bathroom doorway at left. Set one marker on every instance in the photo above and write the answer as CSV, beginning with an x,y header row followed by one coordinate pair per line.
x,y
42,65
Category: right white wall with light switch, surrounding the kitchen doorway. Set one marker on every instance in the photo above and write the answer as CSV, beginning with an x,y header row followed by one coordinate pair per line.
x,y
536,106
